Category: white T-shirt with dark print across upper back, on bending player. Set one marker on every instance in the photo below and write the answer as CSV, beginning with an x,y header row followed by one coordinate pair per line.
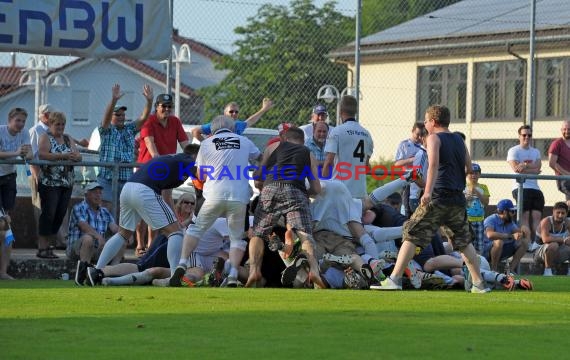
x,y
224,158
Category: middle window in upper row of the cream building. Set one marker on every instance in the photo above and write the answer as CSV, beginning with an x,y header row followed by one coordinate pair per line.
x,y
499,90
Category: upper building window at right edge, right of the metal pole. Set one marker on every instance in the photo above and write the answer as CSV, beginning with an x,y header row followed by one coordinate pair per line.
x,y
552,88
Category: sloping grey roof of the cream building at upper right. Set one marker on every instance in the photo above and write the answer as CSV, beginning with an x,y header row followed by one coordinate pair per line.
x,y
489,23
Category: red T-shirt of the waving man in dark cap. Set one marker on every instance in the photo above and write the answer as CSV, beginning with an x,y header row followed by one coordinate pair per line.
x,y
166,138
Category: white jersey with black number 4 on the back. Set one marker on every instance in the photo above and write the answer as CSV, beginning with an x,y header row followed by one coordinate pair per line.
x,y
352,145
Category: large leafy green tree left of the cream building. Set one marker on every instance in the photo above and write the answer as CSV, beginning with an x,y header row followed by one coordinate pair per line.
x,y
282,55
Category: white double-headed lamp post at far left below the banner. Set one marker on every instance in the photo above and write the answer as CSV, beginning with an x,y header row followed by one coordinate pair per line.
x,y
34,76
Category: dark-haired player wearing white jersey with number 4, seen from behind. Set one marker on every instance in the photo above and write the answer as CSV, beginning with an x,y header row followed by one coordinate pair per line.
x,y
349,147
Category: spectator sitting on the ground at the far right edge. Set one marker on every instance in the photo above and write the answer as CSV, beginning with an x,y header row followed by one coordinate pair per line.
x,y
554,234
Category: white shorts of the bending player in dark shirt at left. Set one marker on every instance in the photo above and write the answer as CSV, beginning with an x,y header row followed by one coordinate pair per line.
x,y
138,202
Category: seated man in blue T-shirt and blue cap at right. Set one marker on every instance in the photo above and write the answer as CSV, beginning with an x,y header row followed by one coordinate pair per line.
x,y
503,237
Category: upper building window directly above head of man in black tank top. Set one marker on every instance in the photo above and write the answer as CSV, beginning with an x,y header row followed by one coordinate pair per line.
x,y
444,84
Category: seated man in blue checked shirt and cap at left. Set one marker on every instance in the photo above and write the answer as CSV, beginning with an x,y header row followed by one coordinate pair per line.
x,y
88,224
